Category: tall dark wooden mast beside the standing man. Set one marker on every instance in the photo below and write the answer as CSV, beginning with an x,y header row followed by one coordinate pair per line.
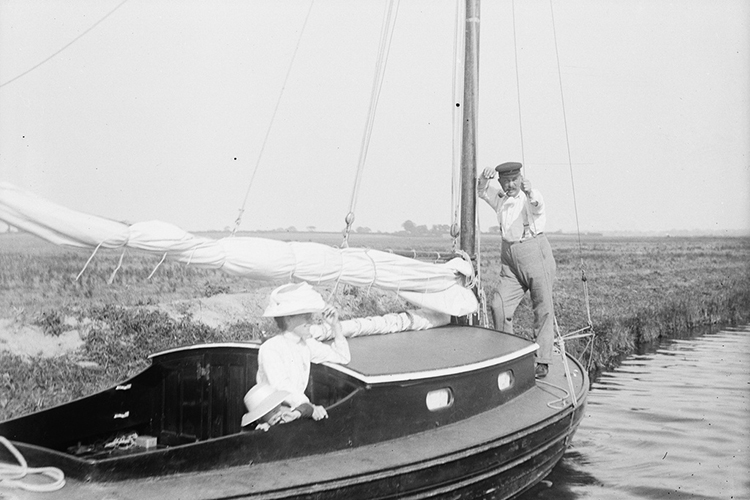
x,y
467,218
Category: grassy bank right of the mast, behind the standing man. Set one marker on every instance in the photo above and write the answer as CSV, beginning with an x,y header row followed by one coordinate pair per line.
x,y
641,290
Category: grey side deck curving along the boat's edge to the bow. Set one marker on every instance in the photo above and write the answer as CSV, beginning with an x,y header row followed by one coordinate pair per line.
x,y
535,409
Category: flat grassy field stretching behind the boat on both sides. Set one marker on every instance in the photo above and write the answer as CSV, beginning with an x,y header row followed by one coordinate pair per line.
x,y
639,290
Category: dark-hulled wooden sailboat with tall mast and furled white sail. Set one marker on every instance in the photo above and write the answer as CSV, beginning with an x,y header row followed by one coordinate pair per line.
x,y
452,411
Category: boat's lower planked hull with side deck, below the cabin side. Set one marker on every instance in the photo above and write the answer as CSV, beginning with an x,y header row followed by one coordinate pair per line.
x,y
419,466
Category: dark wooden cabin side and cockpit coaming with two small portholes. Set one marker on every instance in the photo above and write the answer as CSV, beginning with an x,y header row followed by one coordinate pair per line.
x,y
393,410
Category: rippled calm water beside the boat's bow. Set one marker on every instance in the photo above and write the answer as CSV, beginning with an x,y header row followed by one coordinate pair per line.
x,y
670,424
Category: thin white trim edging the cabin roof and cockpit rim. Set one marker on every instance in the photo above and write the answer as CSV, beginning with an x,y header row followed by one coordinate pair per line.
x,y
376,379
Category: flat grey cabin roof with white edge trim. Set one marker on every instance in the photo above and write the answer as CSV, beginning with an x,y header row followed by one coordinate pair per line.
x,y
413,355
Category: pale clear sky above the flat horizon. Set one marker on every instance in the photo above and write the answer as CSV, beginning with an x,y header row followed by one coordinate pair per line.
x,y
629,115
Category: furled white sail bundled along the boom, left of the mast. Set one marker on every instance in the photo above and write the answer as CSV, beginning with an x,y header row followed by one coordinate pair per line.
x,y
439,287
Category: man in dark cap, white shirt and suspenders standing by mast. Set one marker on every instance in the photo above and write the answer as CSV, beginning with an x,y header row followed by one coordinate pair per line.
x,y
526,256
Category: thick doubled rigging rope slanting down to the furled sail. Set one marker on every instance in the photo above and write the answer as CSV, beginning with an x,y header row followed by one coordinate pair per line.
x,y
386,34
